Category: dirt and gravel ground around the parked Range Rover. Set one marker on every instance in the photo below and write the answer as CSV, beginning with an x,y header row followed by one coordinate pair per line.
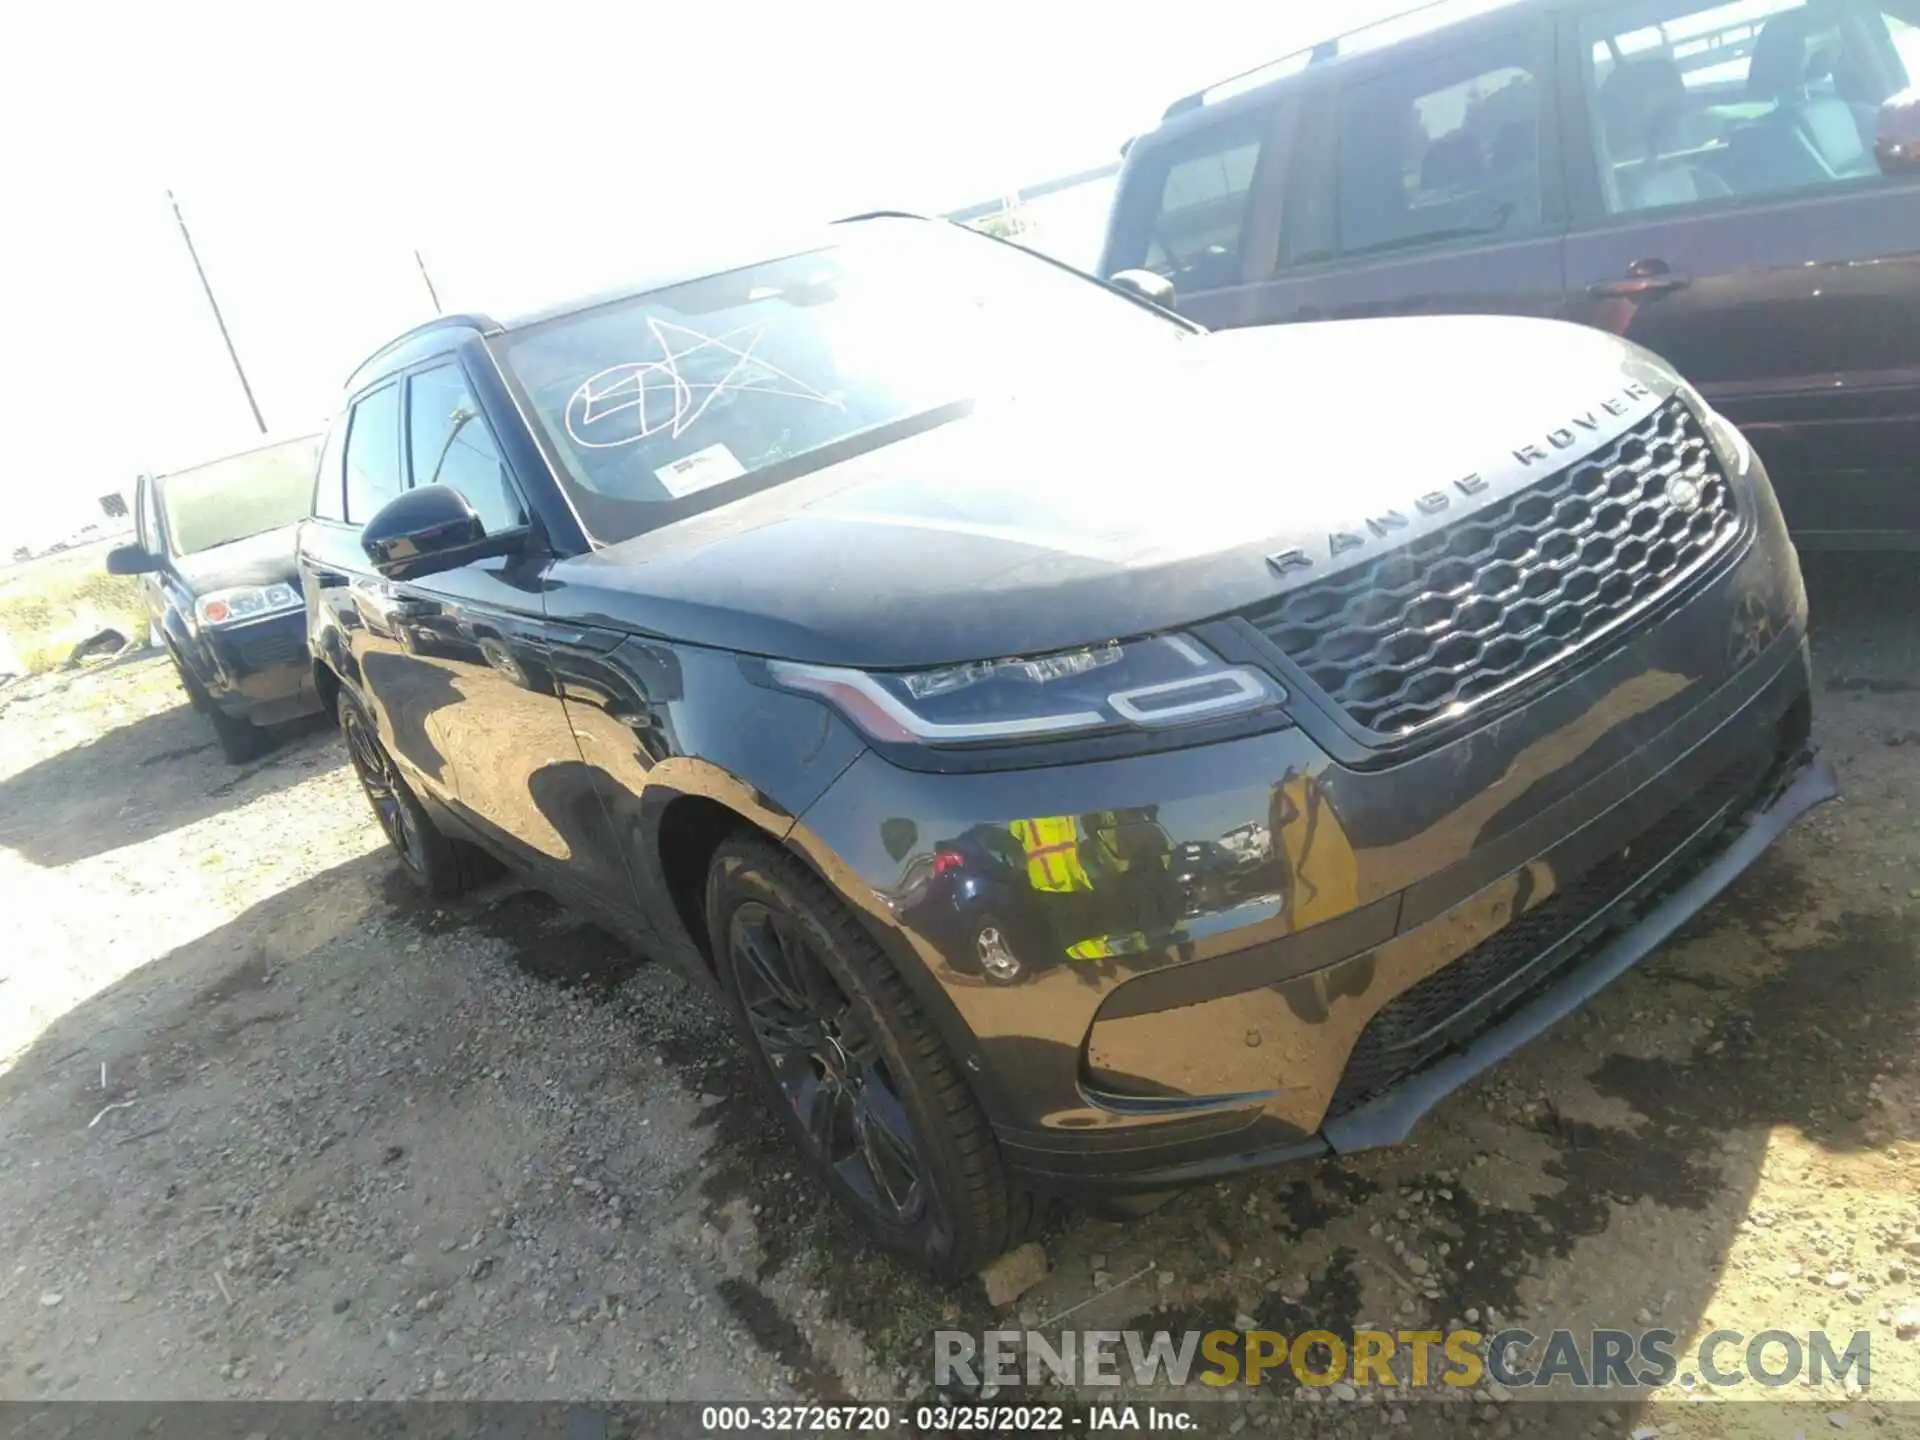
x,y
274,1128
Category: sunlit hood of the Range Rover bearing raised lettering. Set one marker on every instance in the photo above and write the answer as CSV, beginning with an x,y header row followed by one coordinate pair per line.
x,y
1130,502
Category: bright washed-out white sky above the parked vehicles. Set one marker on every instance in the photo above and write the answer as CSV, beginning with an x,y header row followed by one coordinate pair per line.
x,y
525,151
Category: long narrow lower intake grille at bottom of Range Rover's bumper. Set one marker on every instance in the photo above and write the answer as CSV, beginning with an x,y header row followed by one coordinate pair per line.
x,y
1472,994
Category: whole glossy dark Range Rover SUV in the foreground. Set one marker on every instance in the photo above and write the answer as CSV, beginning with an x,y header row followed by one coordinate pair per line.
x,y
1090,754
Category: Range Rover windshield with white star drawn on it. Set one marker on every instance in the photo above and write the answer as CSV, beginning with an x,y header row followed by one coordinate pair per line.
x,y
690,396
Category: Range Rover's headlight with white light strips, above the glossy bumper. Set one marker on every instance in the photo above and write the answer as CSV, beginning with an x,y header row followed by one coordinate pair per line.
x,y
1145,684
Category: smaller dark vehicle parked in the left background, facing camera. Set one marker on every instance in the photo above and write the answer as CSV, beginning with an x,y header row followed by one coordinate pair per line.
x,y
216,548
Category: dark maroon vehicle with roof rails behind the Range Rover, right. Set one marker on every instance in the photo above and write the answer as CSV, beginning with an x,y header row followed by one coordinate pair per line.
x,y
1731,183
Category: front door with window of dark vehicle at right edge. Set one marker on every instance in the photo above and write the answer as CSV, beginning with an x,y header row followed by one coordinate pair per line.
x,y
1735,222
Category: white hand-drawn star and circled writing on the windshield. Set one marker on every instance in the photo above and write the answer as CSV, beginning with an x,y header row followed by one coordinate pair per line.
x,y
631,385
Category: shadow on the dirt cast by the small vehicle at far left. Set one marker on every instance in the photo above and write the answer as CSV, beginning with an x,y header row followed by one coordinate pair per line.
x,y
141,780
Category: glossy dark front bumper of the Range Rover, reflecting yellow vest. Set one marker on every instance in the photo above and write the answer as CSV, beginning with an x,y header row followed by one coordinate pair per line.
x,y
1241,965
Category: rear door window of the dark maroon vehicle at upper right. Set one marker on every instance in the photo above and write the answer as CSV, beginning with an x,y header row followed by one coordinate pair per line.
x,y
1445,147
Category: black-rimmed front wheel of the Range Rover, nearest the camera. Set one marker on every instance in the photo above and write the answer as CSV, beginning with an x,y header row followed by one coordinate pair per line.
x,y
859,1076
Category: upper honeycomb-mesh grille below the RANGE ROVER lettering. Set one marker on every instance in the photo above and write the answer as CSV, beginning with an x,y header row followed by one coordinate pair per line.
x,y
1424,635
